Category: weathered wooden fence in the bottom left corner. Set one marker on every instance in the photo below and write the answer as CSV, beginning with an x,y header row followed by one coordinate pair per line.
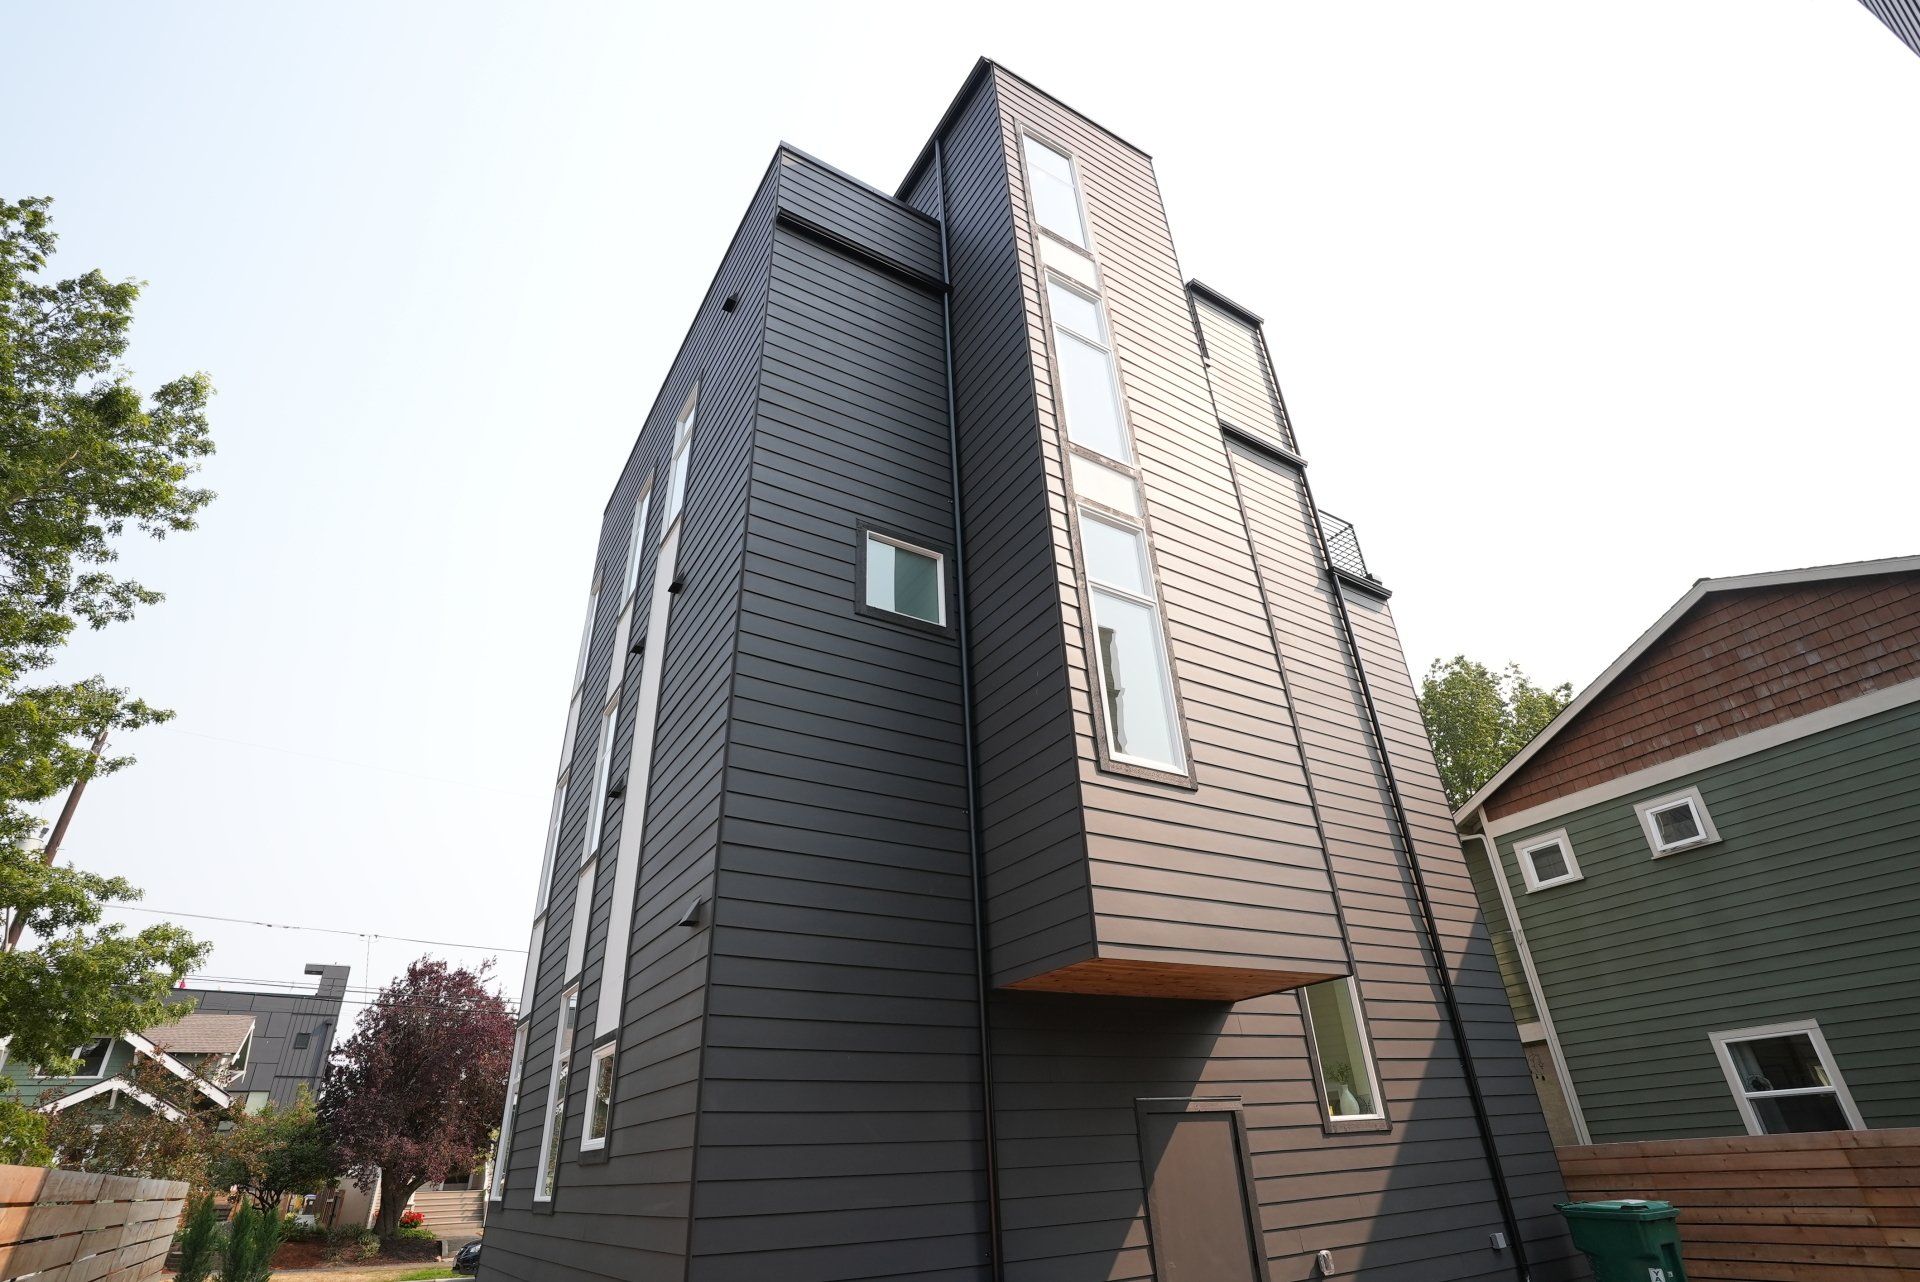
x,y
74,1227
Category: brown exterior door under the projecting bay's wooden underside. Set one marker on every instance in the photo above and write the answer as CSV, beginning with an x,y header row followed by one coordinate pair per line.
x,y
1199,1199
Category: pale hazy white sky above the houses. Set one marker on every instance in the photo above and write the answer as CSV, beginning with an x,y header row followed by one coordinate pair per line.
x,y
1572,304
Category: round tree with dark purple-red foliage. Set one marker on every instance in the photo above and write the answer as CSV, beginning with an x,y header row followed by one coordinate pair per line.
x,y
421,1083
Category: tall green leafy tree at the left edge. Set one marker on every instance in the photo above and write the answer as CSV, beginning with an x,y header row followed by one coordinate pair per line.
x,y
85,460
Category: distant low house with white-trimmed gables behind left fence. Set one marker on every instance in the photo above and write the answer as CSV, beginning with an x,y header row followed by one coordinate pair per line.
x,y
206,1051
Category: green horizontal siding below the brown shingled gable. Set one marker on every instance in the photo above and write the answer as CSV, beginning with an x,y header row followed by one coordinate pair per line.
x,y
1806,909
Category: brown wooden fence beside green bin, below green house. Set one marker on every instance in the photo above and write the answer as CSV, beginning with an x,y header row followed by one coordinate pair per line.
x,y
1781,1208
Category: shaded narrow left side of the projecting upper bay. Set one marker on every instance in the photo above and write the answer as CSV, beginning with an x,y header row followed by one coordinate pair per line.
x,y
1034,845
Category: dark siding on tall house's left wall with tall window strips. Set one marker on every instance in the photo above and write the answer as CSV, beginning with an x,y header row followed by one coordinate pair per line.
x,y
629,1214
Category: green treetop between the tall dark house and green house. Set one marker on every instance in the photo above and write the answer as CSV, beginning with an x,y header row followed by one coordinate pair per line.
x,y
1479,719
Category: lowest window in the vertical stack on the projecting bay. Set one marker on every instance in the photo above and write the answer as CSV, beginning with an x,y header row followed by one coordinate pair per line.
x,y
1130,655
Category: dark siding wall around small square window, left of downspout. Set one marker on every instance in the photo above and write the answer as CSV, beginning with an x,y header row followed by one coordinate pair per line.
x,y
840,1104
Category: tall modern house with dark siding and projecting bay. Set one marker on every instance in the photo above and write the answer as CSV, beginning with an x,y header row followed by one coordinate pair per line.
x,y
994,836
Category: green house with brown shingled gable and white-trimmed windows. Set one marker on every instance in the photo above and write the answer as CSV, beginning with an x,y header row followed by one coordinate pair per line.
x,y
1704,876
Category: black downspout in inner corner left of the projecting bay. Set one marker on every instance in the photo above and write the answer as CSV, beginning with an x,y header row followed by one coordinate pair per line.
x,y
982,989
